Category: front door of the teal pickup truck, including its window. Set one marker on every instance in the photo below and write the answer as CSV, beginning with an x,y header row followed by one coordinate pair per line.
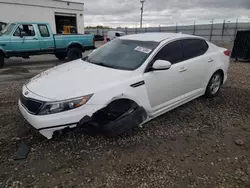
x,y
27,44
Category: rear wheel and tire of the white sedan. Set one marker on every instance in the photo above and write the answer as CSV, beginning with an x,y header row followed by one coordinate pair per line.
x,y
214,85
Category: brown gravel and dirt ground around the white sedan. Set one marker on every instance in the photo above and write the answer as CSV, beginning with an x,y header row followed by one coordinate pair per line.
x,y
204,143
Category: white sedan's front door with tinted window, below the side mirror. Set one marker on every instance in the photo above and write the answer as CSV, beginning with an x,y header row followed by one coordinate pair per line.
x,y
165,87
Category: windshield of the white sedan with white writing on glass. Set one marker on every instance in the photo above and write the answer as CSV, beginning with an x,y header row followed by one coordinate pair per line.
x,y
122,54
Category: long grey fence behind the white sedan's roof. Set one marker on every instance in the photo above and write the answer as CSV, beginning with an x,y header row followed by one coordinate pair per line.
x,y
216,32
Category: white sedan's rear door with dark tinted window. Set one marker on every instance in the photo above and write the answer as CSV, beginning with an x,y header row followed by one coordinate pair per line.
x,y
195,62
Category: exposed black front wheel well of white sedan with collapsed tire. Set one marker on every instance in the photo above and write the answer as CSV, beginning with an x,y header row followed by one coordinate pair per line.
x,y
120,116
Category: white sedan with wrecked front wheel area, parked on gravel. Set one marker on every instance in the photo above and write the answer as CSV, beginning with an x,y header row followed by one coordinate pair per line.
x,y
124,84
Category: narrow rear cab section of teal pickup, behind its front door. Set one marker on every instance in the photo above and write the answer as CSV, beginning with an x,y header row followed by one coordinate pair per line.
x,y
47,38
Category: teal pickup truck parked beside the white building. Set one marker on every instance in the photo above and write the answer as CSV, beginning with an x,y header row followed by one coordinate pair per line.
x,y
24,39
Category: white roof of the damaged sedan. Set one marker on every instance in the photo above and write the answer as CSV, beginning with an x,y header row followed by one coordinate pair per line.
x,y
157,37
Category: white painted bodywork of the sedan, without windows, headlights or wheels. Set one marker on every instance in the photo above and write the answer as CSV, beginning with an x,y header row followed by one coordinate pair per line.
x,y
162,91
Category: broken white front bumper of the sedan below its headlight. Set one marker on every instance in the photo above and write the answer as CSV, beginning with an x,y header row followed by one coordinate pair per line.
x,y
48,124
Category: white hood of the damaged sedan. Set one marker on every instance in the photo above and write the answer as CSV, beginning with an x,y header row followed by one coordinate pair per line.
x,y
75,79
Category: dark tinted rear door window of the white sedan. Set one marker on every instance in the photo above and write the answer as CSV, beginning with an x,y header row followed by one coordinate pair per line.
x,y
194,48
